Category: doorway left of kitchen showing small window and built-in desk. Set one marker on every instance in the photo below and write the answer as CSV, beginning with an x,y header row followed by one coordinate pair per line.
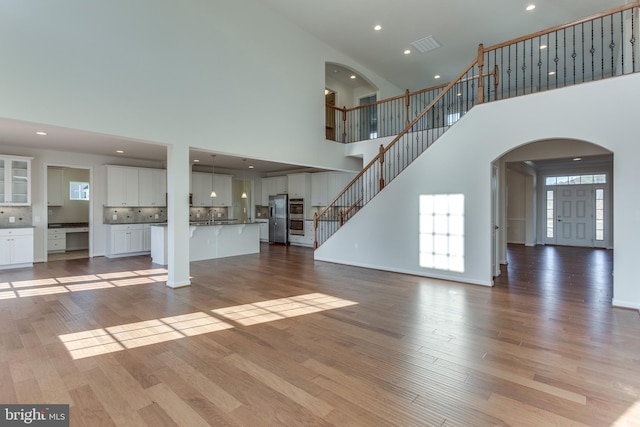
x,y
68,213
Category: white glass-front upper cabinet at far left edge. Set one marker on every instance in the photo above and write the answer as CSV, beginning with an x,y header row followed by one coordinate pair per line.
x,y
15,181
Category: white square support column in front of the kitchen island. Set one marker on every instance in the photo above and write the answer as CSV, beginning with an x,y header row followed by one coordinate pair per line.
x,y
178,176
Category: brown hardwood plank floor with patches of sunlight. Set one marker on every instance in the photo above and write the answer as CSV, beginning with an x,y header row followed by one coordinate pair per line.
x,y
276,339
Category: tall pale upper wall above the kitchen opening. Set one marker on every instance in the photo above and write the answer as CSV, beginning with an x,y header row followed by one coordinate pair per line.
x,y
230,76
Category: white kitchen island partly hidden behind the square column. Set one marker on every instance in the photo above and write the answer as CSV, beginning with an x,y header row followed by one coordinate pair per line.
x,y
209,241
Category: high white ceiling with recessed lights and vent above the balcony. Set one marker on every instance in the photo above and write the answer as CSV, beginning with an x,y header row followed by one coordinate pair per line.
x,y
459,25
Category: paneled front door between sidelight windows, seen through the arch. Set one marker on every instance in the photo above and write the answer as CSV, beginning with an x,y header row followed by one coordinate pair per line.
x,y
575,222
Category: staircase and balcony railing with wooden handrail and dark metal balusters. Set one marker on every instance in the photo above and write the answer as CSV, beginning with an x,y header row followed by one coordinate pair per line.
x,y
590,49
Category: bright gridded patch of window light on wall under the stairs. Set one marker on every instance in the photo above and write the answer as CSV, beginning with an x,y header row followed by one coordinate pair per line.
x,y
442,232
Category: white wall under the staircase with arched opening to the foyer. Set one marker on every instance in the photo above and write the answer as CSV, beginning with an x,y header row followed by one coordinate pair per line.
x,y
460,162
